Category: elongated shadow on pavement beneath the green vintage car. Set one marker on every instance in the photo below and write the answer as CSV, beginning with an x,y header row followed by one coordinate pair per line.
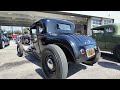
x,y
111,65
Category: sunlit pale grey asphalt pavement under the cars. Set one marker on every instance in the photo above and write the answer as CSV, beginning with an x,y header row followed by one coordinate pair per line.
x,y
29,67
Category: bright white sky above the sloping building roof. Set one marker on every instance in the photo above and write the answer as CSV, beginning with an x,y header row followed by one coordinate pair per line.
x,y
108,14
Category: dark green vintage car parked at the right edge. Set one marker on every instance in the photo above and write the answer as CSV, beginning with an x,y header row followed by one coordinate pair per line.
x,y
108,38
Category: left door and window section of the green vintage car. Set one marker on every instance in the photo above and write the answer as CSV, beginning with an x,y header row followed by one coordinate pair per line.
x,y
99,36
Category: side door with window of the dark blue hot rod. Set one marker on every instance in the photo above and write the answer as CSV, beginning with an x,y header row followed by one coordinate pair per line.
x,y
37,34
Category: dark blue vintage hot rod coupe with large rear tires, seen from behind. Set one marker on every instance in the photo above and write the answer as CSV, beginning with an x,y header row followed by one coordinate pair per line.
x,y
56,43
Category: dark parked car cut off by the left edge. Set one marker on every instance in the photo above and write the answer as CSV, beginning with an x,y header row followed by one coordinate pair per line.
x,y
4,41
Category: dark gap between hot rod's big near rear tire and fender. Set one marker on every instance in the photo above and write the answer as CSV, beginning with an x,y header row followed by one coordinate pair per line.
x,y
69,54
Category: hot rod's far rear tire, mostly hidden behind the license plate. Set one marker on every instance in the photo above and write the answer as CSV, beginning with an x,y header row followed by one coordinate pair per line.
x,y
94,59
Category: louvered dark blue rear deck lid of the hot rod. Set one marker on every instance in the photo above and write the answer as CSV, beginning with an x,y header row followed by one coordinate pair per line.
x,y
81,40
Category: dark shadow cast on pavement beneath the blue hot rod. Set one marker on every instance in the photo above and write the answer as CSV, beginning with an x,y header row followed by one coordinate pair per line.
x,y
73,68
